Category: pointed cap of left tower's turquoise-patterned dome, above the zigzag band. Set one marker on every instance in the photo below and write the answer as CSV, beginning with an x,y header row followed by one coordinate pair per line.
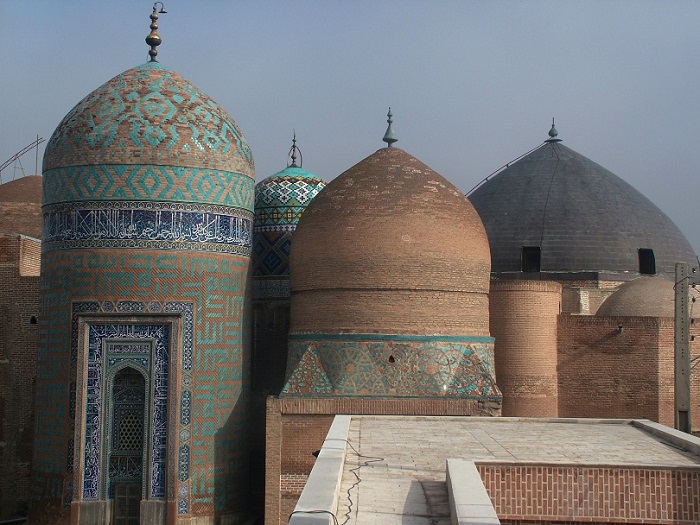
x,y
149,115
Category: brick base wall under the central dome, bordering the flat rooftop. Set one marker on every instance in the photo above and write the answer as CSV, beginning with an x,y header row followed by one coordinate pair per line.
x,y
296,427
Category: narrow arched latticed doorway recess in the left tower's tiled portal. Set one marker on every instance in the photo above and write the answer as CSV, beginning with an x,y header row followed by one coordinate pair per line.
x,y
126,451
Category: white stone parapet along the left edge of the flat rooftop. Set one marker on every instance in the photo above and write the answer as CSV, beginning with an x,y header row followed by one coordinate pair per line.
x,y
318,502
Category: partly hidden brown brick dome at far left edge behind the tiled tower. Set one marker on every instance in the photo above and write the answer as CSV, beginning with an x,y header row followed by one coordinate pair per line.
x,y
20,206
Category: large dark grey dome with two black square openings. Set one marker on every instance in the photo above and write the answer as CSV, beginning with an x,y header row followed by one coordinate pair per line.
x,y
556,211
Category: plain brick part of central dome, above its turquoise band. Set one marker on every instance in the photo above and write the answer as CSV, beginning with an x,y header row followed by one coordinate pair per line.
x,y
390,246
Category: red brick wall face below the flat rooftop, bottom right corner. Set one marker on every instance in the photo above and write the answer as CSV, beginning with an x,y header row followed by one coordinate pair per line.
x,y
598,494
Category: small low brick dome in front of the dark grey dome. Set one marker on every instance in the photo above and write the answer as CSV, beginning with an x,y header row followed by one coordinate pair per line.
x,y
643,297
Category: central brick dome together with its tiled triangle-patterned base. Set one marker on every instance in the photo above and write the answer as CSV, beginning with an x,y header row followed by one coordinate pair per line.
x,y
389,279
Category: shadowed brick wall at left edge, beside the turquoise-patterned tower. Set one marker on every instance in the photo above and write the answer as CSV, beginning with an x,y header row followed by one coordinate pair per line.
x,y
19,306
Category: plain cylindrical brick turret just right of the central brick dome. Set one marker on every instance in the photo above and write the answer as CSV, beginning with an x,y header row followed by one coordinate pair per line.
x,y
524,323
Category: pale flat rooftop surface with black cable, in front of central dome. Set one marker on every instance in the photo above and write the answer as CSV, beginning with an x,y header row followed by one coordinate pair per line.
x,y
394,469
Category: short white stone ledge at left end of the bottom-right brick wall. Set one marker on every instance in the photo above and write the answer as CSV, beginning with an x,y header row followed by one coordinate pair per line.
x,y
469,502
